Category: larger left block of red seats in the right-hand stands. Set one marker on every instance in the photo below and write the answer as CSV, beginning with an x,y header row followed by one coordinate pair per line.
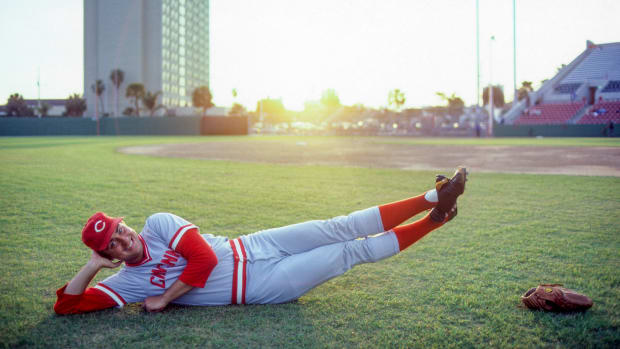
x,y
549,114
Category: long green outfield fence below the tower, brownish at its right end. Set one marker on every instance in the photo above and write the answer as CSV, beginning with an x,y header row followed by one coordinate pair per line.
x,y
64,126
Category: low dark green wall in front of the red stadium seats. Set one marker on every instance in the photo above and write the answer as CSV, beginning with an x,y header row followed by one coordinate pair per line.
x,y
551,130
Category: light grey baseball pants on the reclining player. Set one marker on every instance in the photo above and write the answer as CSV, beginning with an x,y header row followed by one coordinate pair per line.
x,y
284,263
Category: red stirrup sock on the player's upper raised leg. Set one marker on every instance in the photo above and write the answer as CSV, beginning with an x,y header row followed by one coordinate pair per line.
x,y
397,212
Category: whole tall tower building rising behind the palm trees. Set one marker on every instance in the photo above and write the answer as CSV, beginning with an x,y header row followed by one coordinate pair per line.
x,y
162,44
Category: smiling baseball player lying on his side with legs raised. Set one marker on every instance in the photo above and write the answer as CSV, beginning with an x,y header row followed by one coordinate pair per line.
x,y
171,262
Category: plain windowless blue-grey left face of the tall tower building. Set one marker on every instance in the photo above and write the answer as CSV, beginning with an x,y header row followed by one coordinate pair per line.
x,y
121,34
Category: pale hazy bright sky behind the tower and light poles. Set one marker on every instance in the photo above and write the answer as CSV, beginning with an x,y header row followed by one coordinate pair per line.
x,y
295,49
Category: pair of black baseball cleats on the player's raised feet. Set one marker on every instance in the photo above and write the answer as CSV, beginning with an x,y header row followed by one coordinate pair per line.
x,y
448,190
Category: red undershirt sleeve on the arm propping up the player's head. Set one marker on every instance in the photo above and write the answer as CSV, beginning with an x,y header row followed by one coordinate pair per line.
x,y
91,300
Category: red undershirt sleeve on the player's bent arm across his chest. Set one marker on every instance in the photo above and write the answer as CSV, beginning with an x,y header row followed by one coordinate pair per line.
x,y
200,258
